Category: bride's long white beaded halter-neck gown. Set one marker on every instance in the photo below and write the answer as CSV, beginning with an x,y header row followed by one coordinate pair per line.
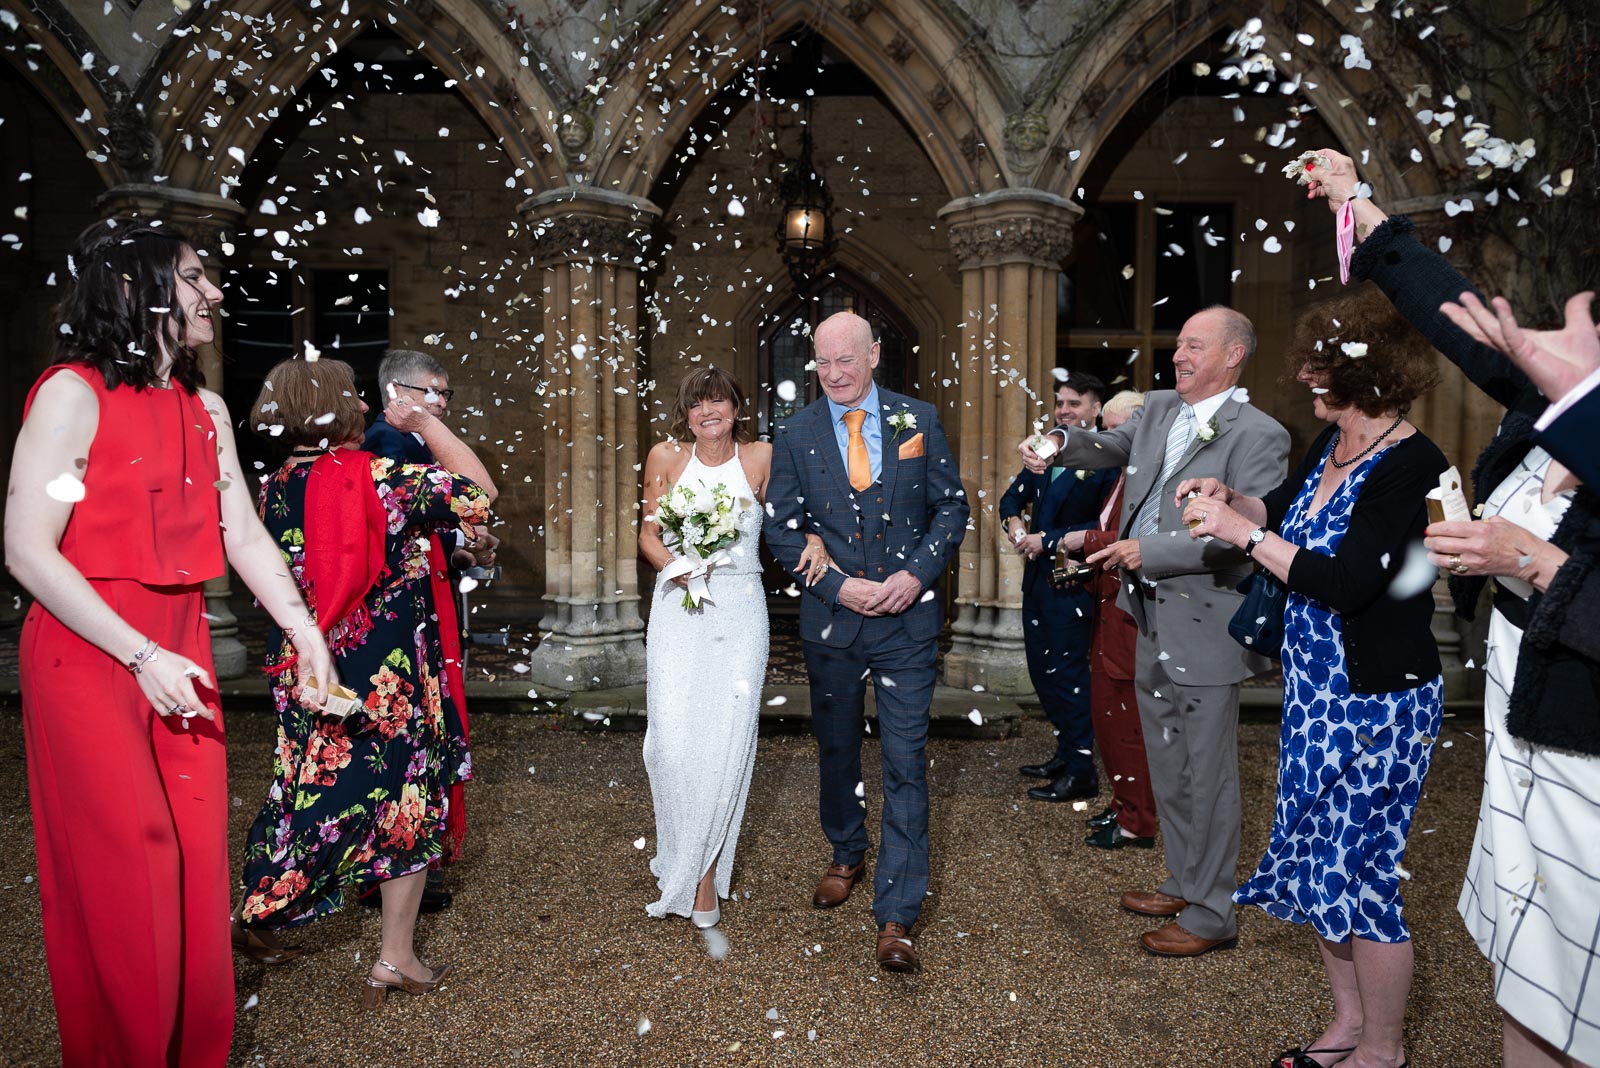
x,y
705,690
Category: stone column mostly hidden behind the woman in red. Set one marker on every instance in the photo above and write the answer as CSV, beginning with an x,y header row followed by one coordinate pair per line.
x,y
207,221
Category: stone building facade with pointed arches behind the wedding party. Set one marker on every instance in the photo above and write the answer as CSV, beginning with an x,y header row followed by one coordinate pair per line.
x,y
575,204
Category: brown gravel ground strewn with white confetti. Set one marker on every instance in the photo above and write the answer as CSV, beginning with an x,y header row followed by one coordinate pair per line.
x,y
1026,957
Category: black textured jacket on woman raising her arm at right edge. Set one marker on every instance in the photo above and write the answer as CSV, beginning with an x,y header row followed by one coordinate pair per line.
x,y
1556,695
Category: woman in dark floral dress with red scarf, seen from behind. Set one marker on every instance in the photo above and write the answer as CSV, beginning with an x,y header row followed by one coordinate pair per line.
x,y
362,800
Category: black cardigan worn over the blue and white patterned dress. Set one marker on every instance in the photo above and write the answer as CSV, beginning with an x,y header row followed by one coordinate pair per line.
x,y
1388,642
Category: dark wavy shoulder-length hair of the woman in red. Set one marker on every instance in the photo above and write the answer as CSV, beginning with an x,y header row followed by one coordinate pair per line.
x,y
122,298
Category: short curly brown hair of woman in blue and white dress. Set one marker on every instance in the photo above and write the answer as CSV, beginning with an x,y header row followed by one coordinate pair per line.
x,y
1396,369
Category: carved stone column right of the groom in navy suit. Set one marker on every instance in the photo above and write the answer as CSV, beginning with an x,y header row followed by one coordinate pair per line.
x,y
1010,247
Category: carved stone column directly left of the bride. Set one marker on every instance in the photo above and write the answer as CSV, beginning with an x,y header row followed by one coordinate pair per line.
x,y
591,245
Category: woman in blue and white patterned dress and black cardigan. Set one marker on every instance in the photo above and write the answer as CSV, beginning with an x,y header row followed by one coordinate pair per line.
x,y
1362,690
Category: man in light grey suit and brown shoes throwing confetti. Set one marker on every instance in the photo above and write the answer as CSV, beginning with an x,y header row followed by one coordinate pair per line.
x,y
1182,592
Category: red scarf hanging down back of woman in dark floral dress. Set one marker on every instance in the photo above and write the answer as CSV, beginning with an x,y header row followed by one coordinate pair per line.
x,y
345,543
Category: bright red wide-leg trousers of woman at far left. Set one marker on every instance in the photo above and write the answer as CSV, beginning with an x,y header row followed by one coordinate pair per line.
x,y
130,821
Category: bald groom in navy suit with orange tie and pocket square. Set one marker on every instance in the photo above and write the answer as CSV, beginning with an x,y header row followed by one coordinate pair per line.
x,y
870,472
